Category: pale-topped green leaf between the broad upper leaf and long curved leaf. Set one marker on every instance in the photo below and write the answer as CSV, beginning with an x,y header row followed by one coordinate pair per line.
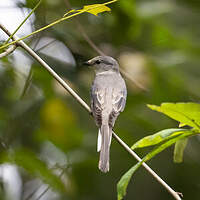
x,y
159,137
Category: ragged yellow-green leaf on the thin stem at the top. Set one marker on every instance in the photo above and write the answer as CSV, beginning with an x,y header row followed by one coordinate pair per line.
x,y
94,9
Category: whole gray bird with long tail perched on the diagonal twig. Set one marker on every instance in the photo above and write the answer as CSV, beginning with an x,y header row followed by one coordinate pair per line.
x,y
108,99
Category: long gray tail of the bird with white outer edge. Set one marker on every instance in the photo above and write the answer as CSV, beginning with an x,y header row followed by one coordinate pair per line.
x,y
104,147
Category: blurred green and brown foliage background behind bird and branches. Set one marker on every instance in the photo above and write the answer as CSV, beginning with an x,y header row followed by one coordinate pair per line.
x,y
48,141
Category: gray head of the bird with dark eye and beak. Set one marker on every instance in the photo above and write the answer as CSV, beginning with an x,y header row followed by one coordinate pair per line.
x,y
103,64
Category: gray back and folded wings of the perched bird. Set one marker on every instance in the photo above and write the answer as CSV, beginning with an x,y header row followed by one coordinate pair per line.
x,y
107,90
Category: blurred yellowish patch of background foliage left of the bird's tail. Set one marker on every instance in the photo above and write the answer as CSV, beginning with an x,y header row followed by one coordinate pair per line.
x,y
57,123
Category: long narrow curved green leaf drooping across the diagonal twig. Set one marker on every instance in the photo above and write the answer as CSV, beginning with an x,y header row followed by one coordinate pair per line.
x,y
123,183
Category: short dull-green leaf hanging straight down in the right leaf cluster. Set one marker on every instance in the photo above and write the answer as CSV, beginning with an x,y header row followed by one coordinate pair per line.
x,y
179,150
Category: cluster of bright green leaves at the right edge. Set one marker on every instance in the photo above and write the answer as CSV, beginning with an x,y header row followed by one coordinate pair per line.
x,y
187,114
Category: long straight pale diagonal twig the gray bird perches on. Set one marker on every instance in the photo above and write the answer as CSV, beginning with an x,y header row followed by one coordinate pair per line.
x,y
62,82
